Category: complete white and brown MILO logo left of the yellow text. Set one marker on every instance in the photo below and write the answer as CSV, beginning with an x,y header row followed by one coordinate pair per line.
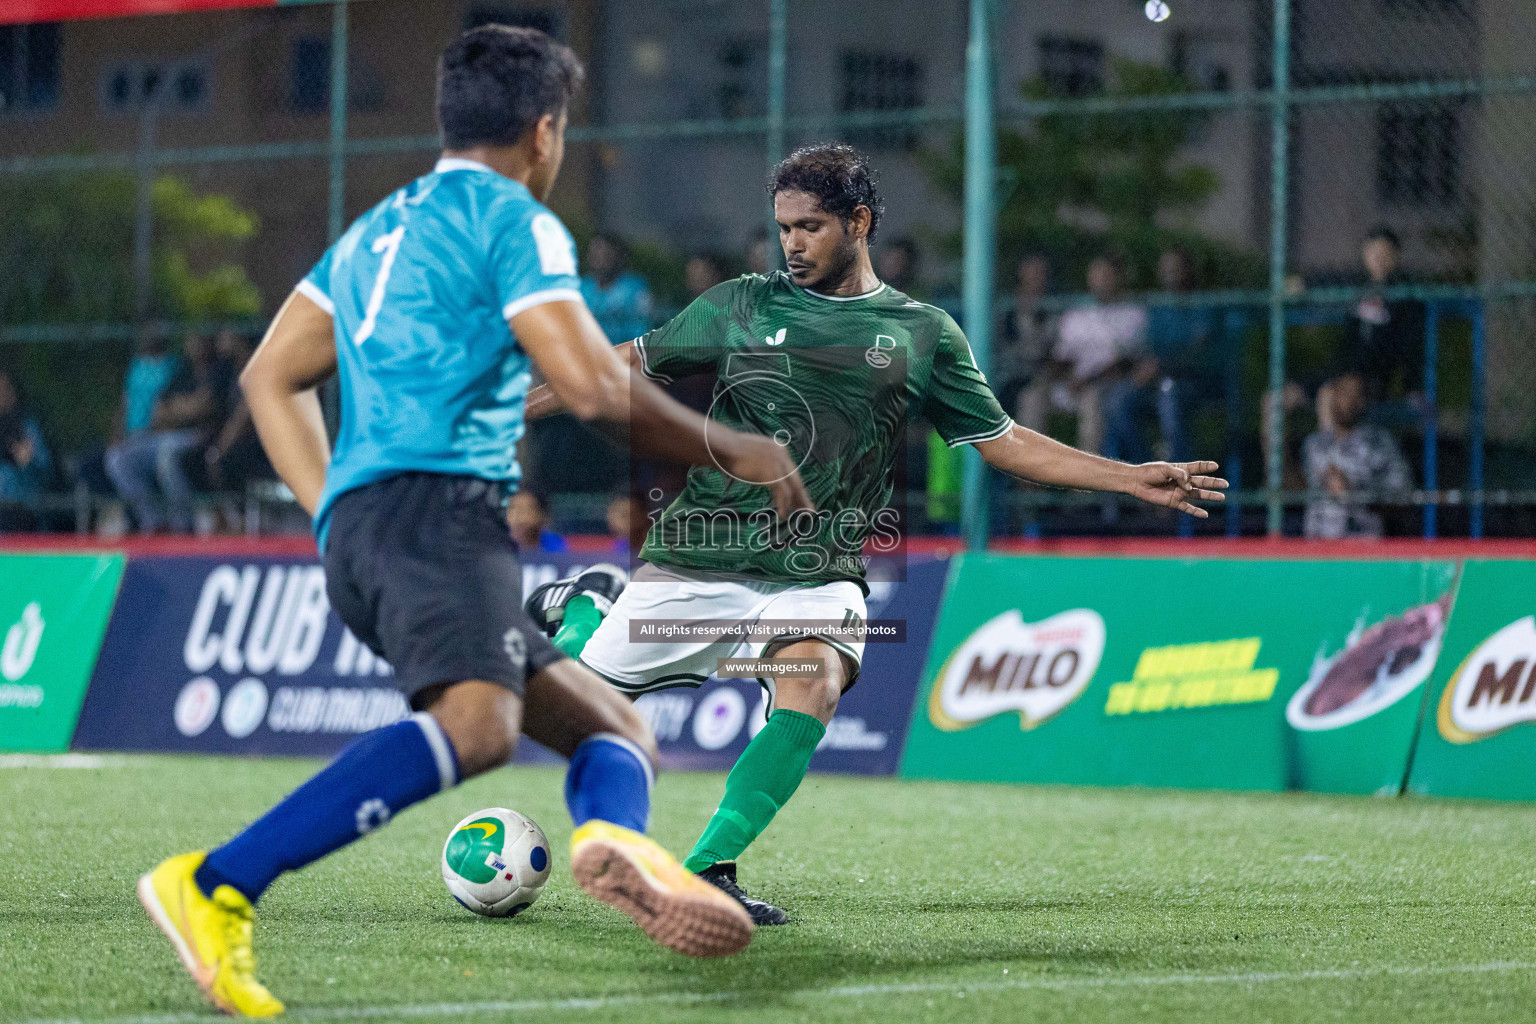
x,y
1010,666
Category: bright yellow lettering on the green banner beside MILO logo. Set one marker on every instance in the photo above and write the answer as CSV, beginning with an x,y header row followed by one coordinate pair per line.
x,y
1194,676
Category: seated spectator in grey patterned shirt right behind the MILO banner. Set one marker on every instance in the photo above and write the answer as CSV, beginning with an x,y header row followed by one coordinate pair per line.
x,y
1346,455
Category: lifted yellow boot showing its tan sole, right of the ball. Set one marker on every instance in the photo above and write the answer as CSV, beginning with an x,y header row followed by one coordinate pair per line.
x,y
670,903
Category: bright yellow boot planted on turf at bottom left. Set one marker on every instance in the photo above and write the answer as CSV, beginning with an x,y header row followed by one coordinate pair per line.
x,y
213,937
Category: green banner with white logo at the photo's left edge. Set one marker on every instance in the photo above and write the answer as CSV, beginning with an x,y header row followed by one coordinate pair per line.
x,y
53,615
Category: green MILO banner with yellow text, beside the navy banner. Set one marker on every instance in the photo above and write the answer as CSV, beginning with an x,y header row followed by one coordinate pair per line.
x,y
1230,675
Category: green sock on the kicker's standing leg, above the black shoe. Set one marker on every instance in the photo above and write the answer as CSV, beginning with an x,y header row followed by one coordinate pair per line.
x,y
764,779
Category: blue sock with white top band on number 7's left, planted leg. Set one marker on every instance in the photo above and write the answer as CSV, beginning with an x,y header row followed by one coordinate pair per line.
x,y
376,778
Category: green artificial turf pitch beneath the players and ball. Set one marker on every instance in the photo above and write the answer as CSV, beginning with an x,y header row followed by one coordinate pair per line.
x,y
918,902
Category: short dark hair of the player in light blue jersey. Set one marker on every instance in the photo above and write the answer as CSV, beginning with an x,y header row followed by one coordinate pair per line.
x,y
497,82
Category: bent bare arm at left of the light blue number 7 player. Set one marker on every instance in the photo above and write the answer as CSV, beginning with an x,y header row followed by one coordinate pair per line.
x,y
296,357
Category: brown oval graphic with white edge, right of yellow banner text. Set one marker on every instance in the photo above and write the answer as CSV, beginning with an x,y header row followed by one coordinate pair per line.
x,y
1375,670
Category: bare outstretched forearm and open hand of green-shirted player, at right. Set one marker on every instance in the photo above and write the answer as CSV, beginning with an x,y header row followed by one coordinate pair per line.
x,y
1042,460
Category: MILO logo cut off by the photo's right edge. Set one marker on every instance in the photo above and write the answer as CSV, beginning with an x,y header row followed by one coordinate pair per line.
x,y
1495,689
